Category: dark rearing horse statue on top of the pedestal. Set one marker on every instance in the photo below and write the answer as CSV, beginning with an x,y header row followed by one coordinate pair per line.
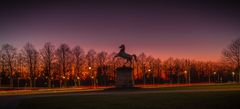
x,y
125,55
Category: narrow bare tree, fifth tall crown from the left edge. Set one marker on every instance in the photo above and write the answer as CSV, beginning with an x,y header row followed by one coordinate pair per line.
x,y
78,55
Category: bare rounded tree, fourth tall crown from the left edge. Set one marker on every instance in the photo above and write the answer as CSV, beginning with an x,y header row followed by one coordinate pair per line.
x,y
63,54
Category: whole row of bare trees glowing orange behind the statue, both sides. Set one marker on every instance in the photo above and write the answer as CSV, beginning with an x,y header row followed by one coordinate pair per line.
x,y
64,66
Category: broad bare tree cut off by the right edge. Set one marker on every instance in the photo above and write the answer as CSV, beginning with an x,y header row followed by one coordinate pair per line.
x,y
232,54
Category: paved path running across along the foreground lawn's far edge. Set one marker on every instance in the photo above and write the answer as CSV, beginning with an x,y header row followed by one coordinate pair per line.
x,y
11,102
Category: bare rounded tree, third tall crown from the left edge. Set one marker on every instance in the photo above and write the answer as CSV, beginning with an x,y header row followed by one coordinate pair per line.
x,y
48,57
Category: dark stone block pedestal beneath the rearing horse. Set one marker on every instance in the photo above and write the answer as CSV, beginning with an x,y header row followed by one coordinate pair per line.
x,y
124,77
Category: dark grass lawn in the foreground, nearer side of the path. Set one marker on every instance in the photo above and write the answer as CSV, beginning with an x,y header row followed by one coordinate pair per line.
x,y
200,100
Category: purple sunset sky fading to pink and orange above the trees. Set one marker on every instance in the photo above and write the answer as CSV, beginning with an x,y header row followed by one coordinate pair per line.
x,y
195,30
